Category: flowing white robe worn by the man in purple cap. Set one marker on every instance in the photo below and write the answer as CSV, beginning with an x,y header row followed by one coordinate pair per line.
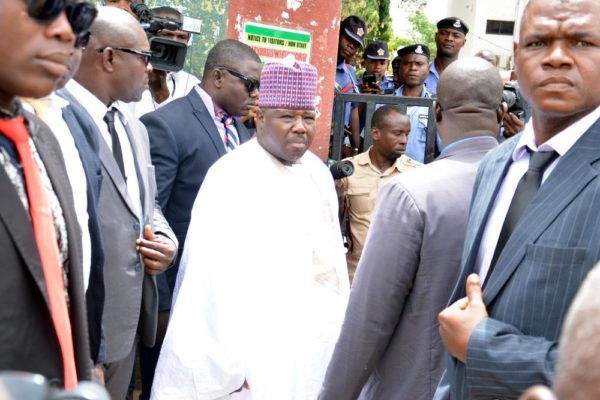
x,y
262,287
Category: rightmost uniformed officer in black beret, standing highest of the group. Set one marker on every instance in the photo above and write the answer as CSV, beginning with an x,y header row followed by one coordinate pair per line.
x,y
449,39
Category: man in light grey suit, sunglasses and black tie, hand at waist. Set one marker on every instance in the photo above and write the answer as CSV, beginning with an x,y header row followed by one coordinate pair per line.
x,y
138,241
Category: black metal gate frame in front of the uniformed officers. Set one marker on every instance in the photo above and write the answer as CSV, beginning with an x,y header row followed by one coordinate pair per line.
x,y
372,101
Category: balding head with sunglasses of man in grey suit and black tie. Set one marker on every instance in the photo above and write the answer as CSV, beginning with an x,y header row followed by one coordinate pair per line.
x,y
113,65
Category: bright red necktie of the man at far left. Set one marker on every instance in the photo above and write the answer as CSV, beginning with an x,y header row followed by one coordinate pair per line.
x,y
45,238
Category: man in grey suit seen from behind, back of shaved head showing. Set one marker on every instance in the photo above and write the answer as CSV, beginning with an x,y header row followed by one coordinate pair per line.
x,y
389,341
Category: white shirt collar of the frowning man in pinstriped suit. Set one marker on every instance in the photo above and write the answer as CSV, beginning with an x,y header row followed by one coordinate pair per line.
x,y
561,142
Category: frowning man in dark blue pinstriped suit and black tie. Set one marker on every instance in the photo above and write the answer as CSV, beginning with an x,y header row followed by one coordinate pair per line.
x,y
531,247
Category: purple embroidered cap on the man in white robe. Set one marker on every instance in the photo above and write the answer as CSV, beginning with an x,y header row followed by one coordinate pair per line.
x,y
288,84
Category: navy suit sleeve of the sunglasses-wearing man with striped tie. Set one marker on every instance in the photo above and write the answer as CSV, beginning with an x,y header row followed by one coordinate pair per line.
x,y
164,153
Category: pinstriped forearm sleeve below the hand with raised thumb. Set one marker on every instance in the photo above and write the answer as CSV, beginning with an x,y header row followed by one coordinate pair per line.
x,y
503,362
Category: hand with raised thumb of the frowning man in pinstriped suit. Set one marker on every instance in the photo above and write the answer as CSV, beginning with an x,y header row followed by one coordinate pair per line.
x,y
458,321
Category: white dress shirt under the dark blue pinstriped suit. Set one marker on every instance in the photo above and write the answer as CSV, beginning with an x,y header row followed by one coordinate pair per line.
x,y
561,143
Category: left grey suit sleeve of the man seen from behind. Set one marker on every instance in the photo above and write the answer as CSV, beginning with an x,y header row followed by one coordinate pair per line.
x,y
386,271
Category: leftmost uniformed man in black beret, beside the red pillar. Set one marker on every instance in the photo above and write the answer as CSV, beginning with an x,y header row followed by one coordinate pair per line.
x,y
352,37
